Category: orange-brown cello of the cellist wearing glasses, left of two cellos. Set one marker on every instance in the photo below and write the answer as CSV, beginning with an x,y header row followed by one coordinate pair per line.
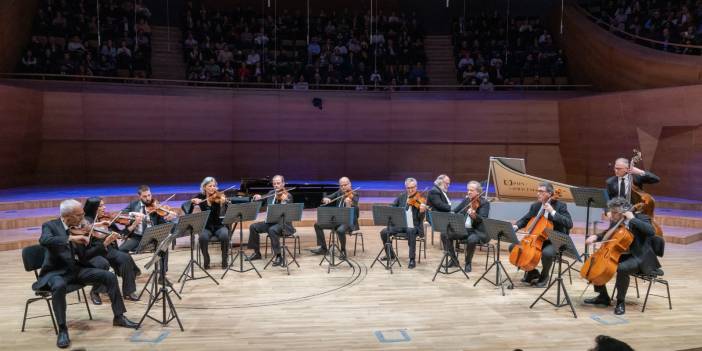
x,y
527,254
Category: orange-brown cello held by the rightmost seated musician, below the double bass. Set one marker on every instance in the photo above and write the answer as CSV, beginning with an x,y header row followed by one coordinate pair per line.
x,y
600,267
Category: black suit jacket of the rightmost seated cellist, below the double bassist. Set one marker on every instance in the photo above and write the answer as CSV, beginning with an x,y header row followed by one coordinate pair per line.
x,y
641,248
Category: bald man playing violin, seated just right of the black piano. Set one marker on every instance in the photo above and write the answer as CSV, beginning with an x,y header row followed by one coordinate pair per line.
x,y
339,198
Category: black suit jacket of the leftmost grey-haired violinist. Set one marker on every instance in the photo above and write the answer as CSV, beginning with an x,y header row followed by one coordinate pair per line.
x,y
62,257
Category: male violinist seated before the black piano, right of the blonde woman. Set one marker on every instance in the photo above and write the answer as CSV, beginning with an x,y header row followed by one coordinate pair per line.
x,y
276,196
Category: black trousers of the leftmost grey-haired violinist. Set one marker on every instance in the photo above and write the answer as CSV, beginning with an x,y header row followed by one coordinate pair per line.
x,y
89,276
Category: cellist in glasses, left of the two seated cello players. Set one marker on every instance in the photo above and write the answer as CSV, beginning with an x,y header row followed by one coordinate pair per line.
x,y
556,212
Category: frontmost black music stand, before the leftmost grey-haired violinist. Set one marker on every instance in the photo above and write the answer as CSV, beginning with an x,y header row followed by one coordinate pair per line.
x,y
159,259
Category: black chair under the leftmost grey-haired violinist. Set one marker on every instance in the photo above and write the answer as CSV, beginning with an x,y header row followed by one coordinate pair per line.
x,y
33,258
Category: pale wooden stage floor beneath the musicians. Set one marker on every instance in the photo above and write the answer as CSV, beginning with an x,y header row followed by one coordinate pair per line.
x,y
359,308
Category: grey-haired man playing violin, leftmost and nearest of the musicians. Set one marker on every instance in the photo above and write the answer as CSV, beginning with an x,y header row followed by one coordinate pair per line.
x,y
66,262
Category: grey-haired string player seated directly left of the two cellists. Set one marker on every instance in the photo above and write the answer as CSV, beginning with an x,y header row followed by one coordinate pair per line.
x,y
476,208
